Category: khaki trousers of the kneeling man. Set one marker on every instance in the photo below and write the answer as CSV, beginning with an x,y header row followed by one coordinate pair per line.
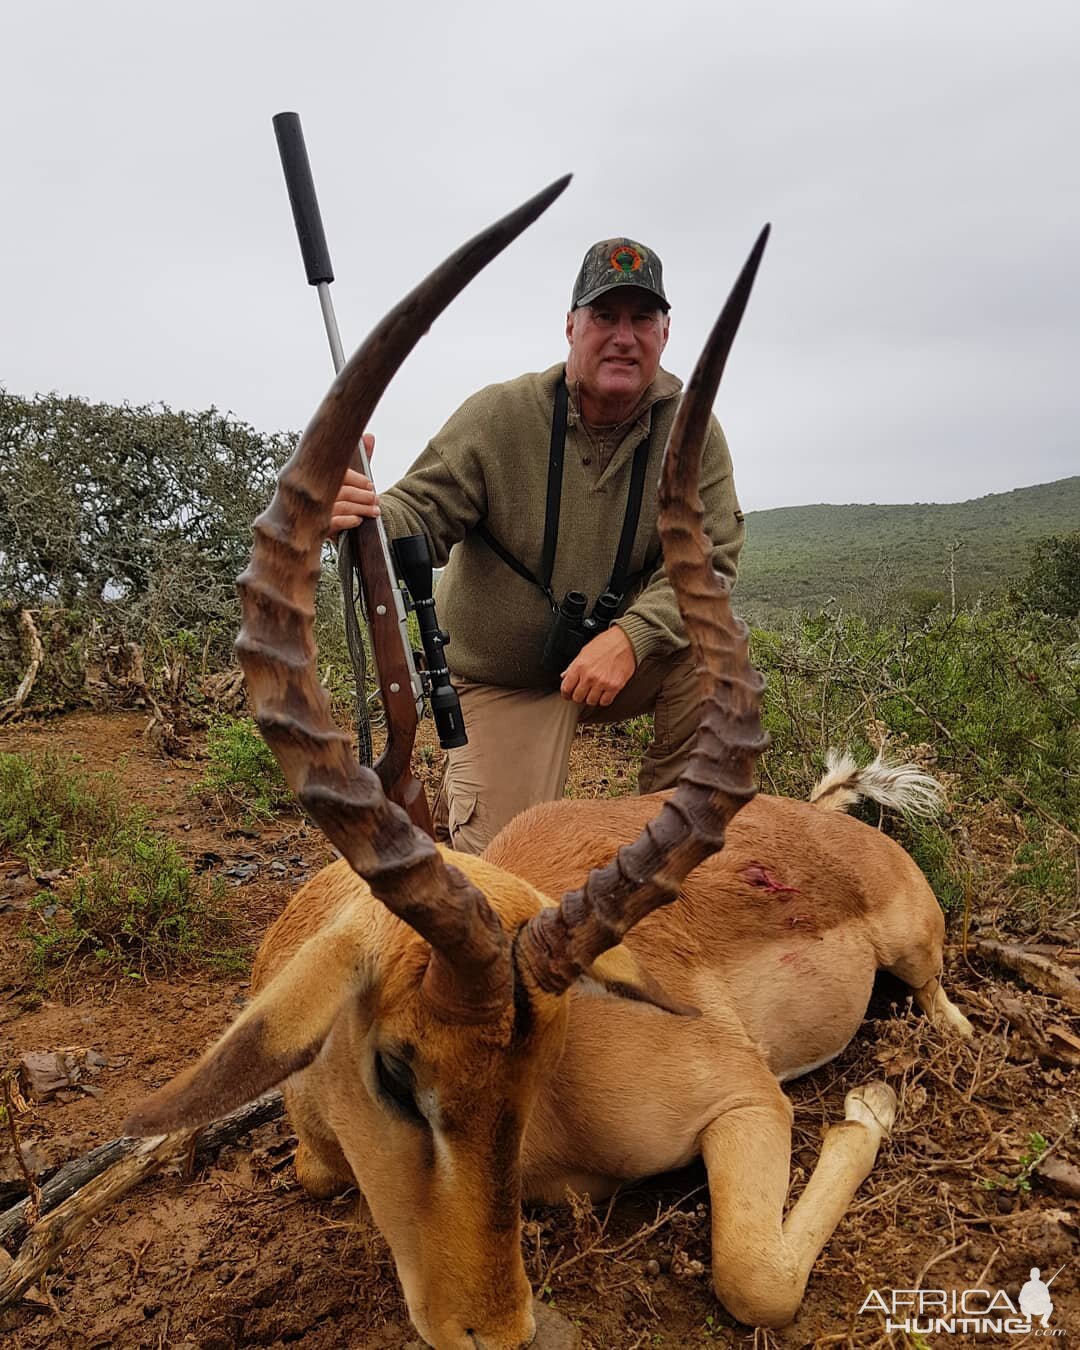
x,y
519,746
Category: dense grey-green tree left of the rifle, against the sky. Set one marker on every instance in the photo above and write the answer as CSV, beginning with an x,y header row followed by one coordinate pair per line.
x,y
136,510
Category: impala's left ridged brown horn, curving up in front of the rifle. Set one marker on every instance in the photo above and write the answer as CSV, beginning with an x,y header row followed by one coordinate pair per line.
x,y
469,977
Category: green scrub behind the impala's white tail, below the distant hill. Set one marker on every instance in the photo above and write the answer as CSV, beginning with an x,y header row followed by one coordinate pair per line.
x,y
989,701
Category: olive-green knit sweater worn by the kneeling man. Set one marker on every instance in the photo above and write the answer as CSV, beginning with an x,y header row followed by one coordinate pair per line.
x,y
489,465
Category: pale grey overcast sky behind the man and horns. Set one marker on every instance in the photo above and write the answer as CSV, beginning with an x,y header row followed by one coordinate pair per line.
x,y
915,329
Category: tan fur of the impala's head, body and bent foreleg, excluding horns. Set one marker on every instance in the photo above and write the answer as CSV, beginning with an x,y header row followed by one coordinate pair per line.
x,y
769,958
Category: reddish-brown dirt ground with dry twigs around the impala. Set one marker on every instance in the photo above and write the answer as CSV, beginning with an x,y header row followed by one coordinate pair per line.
x,y
238,1255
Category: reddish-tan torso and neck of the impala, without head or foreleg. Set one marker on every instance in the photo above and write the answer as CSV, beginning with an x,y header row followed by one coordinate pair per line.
x,y
782,977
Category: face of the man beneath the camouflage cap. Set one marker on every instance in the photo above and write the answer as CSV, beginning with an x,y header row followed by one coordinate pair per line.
x,y
616,346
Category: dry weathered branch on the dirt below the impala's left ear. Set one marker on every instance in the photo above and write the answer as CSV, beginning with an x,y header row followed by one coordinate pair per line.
x,y
113,1172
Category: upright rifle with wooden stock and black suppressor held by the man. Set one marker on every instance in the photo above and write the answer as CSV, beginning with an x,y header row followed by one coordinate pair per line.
x,y
365,549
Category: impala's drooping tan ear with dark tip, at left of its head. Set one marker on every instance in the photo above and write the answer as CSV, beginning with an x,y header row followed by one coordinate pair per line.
x,y
280,1033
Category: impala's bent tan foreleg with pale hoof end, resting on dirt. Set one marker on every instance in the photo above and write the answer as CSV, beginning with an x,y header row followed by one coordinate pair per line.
x,y
761,1260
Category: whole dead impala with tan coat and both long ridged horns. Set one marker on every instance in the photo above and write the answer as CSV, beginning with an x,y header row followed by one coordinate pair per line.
x,y
454,1039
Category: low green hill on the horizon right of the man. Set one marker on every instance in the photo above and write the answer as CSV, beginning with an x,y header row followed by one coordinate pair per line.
x,y
803,557
